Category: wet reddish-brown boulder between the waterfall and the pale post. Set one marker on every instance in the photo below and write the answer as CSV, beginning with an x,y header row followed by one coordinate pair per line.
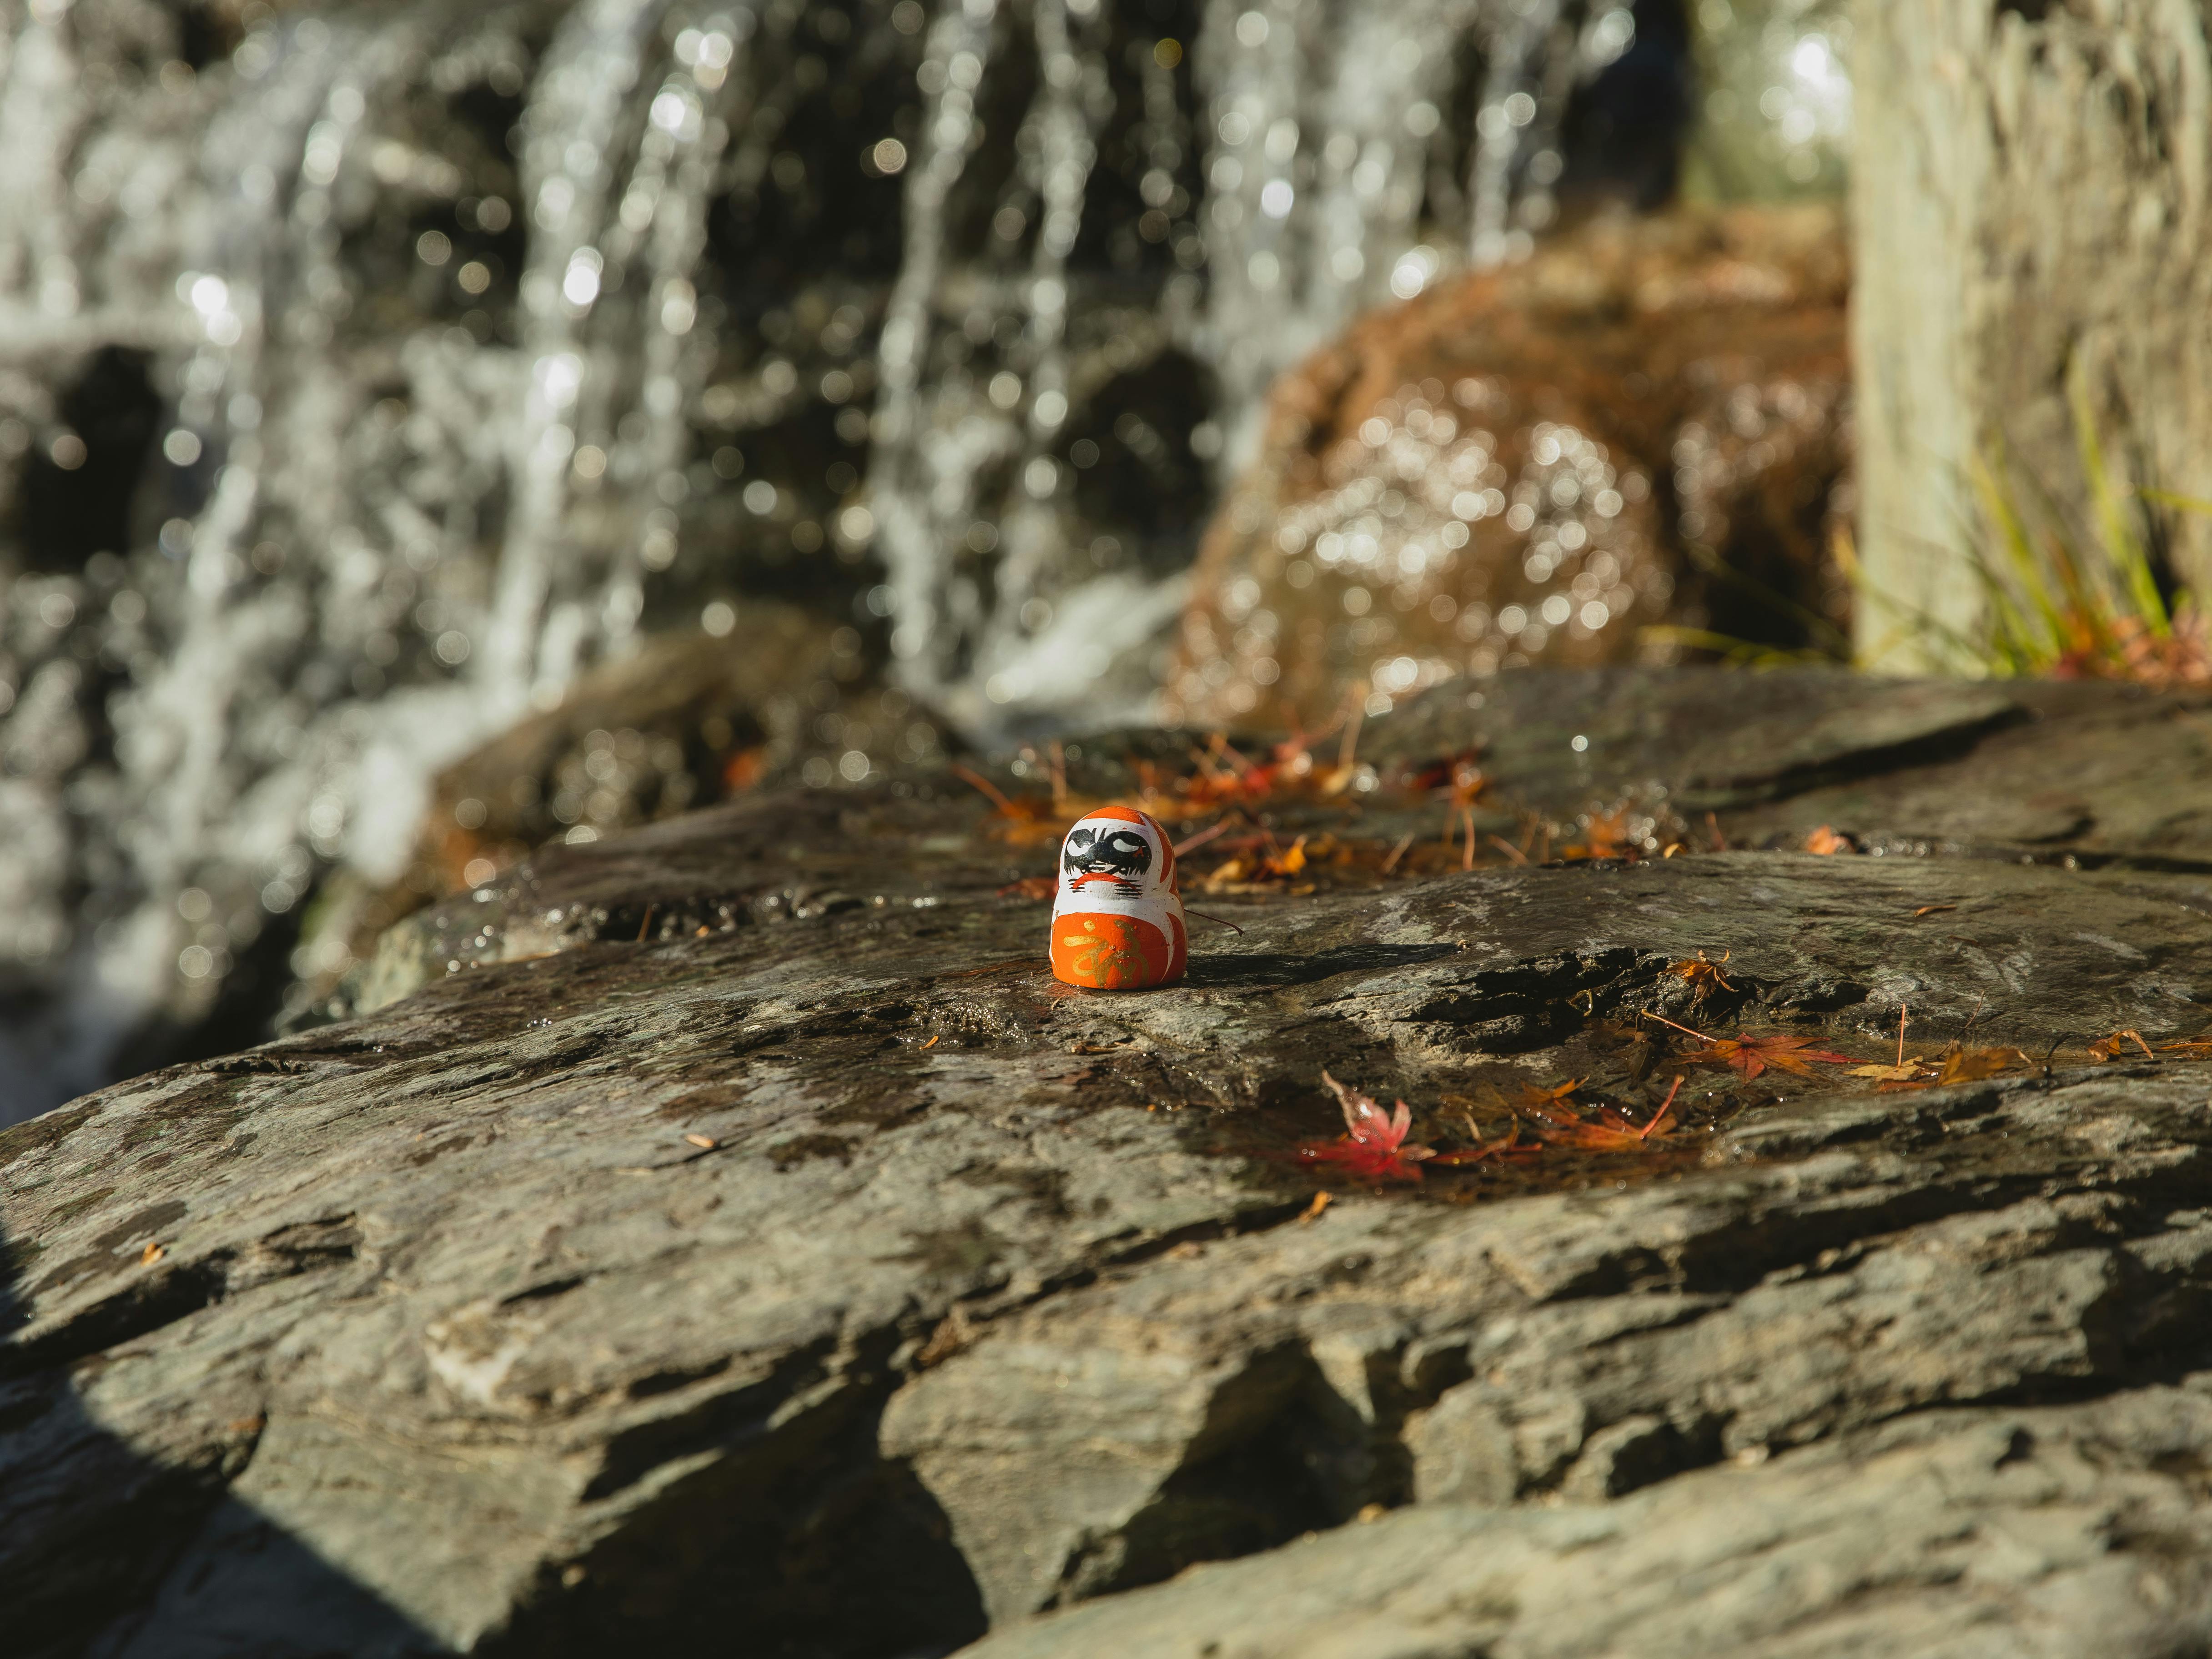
x,y
1645,424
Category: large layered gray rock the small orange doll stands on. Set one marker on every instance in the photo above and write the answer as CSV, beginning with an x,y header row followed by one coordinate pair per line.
x,y
731,1224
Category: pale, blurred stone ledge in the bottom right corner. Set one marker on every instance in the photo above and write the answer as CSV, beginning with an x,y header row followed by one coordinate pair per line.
x,y
1996,1532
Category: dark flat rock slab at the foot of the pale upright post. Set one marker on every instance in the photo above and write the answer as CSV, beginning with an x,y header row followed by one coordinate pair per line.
x,y
2049,769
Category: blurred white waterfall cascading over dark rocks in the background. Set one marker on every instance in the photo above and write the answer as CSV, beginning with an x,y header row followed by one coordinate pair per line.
x,y
371,371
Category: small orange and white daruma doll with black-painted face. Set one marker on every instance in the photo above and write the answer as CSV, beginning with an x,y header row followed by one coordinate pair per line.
x,y
1118,921
